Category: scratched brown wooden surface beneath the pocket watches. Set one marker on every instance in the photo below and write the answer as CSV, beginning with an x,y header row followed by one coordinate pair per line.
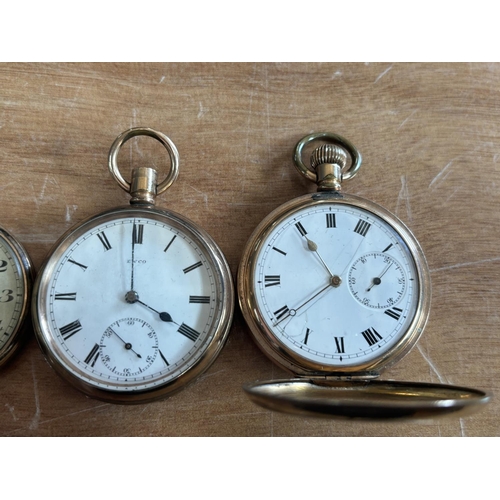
x,y
430,139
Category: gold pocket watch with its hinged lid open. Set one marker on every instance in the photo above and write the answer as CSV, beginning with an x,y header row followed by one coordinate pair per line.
x,y
335,289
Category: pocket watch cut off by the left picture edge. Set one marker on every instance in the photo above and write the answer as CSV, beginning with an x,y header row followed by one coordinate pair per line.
x,y
16,273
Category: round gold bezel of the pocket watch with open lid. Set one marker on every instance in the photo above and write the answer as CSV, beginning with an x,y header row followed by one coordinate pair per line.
x,y
279,352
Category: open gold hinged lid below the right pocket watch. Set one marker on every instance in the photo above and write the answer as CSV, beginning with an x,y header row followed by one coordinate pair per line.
x,y
366,399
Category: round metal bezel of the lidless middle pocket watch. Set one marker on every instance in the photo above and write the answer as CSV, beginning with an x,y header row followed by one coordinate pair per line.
x,y
122,393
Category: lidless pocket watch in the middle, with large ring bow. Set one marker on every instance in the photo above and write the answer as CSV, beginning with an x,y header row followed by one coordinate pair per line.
x,y
135,302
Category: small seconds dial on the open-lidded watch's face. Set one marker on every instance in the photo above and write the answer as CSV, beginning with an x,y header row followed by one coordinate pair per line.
x,y
377,280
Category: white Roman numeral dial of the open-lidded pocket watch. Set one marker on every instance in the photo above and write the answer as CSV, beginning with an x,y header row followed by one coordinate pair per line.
x,y
336,253
